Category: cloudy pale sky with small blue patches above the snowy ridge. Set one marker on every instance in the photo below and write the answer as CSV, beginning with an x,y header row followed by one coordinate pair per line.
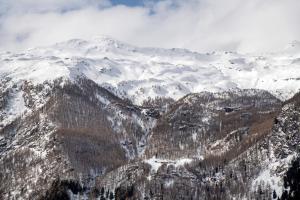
x,y
198,25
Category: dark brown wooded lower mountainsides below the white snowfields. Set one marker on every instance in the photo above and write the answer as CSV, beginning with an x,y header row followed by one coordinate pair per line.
x,y
86,143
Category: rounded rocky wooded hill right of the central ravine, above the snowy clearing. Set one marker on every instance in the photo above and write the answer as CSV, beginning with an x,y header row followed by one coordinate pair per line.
x,y
207,123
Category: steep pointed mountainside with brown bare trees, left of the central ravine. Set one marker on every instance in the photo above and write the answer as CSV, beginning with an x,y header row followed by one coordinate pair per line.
x,y
73,135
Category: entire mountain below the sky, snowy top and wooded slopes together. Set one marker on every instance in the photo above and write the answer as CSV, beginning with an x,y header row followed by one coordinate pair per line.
x,y
102,119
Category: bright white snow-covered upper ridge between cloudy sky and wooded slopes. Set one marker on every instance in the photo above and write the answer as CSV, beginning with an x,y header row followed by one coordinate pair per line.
x,y
139,73
